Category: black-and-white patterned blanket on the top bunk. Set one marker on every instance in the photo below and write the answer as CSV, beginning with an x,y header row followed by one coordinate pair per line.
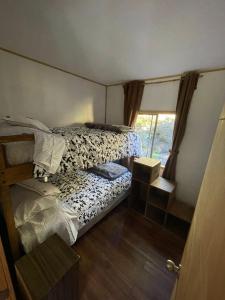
x,y
89,147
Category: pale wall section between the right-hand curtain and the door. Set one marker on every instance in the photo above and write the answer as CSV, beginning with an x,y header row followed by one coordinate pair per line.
x,y
205,110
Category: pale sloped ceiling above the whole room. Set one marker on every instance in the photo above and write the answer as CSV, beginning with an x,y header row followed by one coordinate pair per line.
x,y
113,40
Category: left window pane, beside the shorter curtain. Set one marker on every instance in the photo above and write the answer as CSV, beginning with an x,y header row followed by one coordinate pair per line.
x,y
145,125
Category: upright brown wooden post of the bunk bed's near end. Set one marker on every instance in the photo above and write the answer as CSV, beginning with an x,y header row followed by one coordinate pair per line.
x,y
7,210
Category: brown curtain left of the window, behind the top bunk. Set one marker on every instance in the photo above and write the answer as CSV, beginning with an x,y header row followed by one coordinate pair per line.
x,y
133,92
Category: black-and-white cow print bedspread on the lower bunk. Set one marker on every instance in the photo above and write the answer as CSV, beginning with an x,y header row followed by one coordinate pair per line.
x,y
87,194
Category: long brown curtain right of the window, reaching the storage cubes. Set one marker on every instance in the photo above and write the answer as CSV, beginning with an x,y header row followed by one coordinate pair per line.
x,y
188,84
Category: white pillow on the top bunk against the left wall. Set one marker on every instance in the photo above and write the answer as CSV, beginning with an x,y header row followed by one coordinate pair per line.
x,y
26,122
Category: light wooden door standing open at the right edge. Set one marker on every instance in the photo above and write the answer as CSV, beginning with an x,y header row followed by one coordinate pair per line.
x,y
202,275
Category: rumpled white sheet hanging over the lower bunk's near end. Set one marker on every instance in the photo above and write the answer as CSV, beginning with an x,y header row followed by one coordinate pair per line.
x,y
37,218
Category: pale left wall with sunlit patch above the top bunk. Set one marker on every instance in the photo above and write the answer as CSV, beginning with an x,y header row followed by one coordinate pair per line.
x,y
54,97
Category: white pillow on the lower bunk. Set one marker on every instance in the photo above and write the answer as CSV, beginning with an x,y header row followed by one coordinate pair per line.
x,y
41,188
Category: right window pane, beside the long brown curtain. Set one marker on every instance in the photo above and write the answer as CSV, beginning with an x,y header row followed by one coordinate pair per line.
x,y
163,137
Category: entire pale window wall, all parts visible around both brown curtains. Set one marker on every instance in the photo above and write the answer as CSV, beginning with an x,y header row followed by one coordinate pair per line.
x,y
205,109
